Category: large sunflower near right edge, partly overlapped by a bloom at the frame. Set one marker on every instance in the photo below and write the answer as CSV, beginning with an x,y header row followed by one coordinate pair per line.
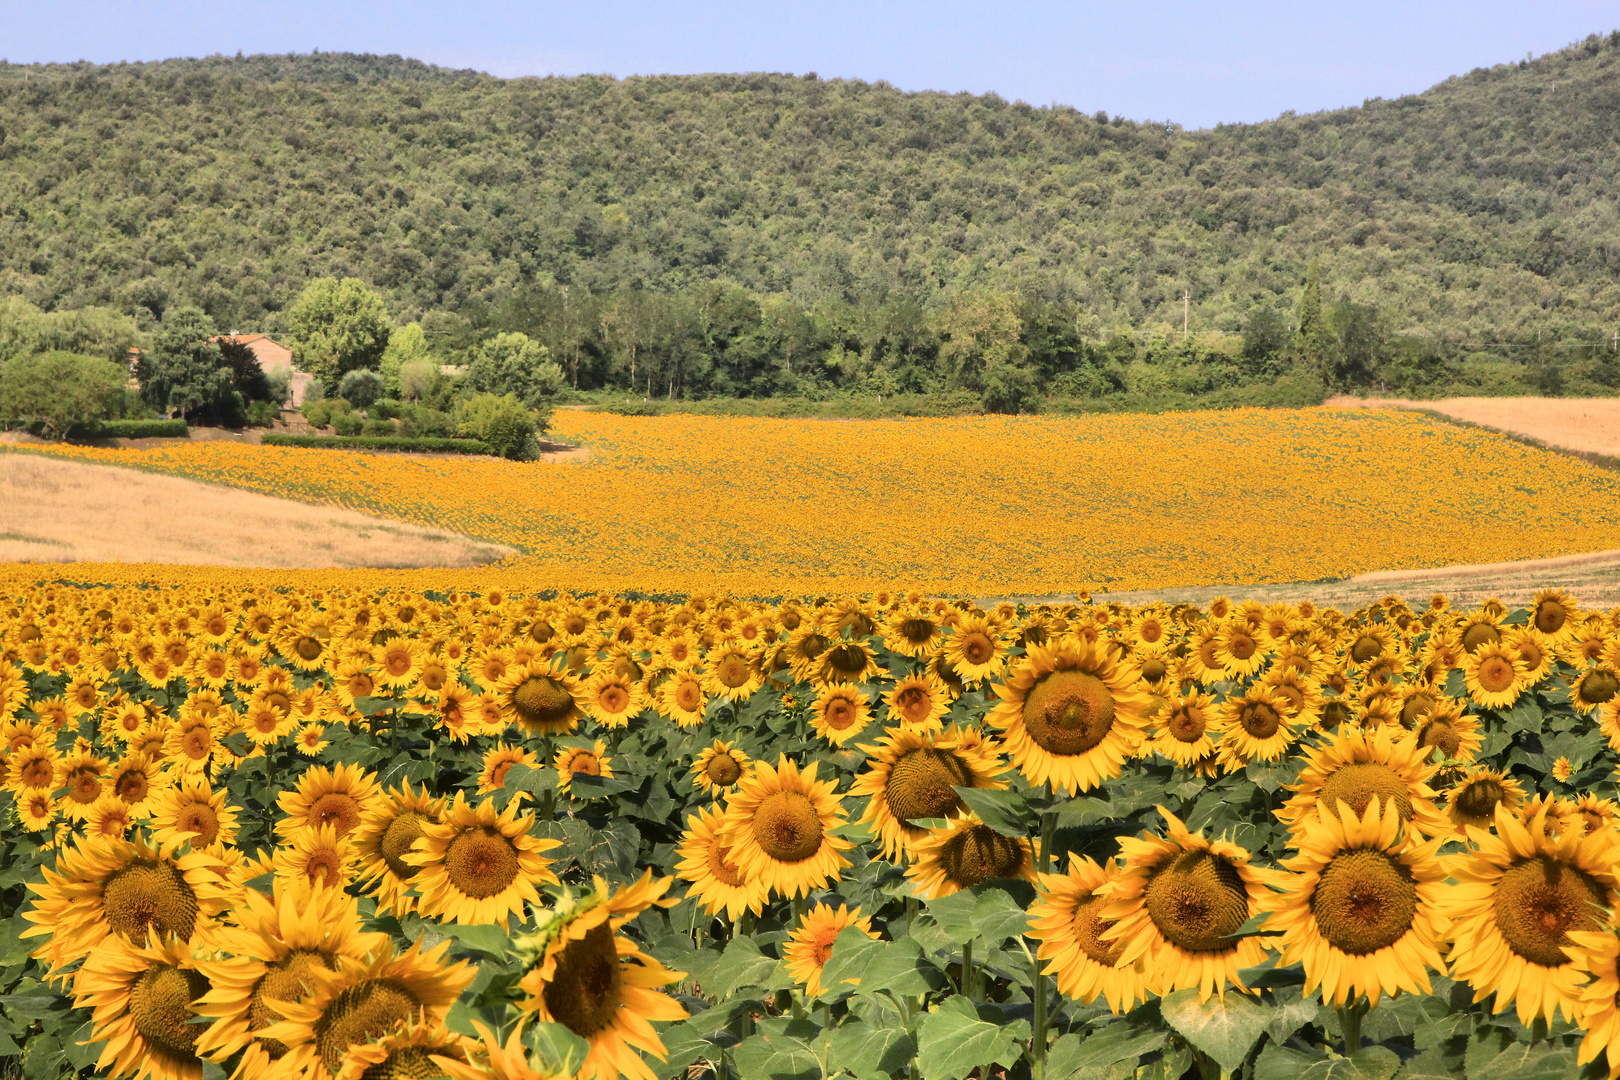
x,y
1519,896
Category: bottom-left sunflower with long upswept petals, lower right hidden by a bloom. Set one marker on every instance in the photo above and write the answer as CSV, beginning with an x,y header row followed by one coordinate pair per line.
x,y
268,956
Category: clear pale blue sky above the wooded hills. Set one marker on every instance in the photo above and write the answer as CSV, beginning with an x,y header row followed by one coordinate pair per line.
x,y
1196,64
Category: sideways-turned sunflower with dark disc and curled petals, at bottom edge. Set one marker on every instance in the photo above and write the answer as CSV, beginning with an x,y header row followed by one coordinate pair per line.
x,y
595,982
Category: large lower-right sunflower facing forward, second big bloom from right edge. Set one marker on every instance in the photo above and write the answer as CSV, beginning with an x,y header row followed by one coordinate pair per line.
x,y
1360,908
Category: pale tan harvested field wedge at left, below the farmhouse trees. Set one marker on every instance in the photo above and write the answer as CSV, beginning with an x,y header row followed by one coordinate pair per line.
x,y
74,512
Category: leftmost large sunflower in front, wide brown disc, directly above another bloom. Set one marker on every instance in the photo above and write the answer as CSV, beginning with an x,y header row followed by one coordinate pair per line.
x,y
101,888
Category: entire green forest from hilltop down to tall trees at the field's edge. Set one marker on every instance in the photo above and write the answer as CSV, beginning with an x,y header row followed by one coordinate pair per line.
x,y
767,234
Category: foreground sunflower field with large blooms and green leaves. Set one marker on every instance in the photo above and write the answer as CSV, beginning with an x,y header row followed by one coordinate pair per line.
x,y
257,831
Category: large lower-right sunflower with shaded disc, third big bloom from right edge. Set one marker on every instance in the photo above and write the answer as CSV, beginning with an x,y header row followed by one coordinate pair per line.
x,y
1179,904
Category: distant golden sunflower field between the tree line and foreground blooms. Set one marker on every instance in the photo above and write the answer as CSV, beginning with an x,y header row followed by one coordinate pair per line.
x,y
976,506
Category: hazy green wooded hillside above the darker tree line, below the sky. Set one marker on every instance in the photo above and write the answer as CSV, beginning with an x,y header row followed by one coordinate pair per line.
x,y
1478,210
